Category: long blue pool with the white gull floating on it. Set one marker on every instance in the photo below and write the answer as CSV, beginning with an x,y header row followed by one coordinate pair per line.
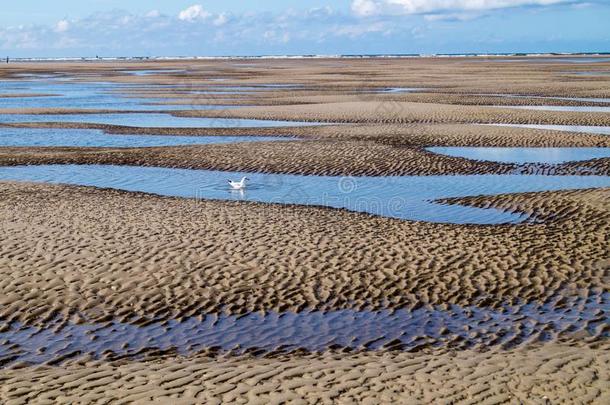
x,y
407,197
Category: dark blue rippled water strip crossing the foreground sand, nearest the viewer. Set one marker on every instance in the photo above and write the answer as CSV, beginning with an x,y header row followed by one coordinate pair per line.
x,y
455,326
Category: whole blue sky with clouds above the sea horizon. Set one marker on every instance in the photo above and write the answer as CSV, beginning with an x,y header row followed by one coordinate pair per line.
x,y
70,28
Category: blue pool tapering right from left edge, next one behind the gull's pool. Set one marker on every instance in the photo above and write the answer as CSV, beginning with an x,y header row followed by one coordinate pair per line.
x,y
45,137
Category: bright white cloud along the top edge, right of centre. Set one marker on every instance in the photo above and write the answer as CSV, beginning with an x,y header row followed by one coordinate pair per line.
x,y
370,7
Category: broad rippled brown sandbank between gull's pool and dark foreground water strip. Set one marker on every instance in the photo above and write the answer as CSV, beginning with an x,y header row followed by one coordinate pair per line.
x,y
166,257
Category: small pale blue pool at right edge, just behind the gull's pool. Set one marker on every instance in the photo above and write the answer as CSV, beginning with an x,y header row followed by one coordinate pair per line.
x,y
524,155
